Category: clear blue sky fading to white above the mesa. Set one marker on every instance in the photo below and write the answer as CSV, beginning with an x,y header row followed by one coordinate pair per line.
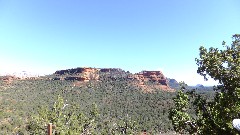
x,y
44,36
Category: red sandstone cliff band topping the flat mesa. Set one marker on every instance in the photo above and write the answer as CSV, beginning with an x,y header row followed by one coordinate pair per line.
x,y
85,74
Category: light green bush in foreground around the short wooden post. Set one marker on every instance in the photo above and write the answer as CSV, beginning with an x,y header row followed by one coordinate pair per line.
x,y
66,118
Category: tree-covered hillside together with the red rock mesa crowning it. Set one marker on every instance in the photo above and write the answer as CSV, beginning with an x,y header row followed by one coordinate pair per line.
x,y
121,98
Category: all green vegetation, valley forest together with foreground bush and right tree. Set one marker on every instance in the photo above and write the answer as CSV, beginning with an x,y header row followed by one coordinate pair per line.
x,y
113,105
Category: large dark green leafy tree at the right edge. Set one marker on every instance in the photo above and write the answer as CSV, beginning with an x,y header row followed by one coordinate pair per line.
x,y
215,116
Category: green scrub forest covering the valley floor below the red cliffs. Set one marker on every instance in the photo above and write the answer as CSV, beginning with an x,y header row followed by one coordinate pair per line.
x,y
122,107
